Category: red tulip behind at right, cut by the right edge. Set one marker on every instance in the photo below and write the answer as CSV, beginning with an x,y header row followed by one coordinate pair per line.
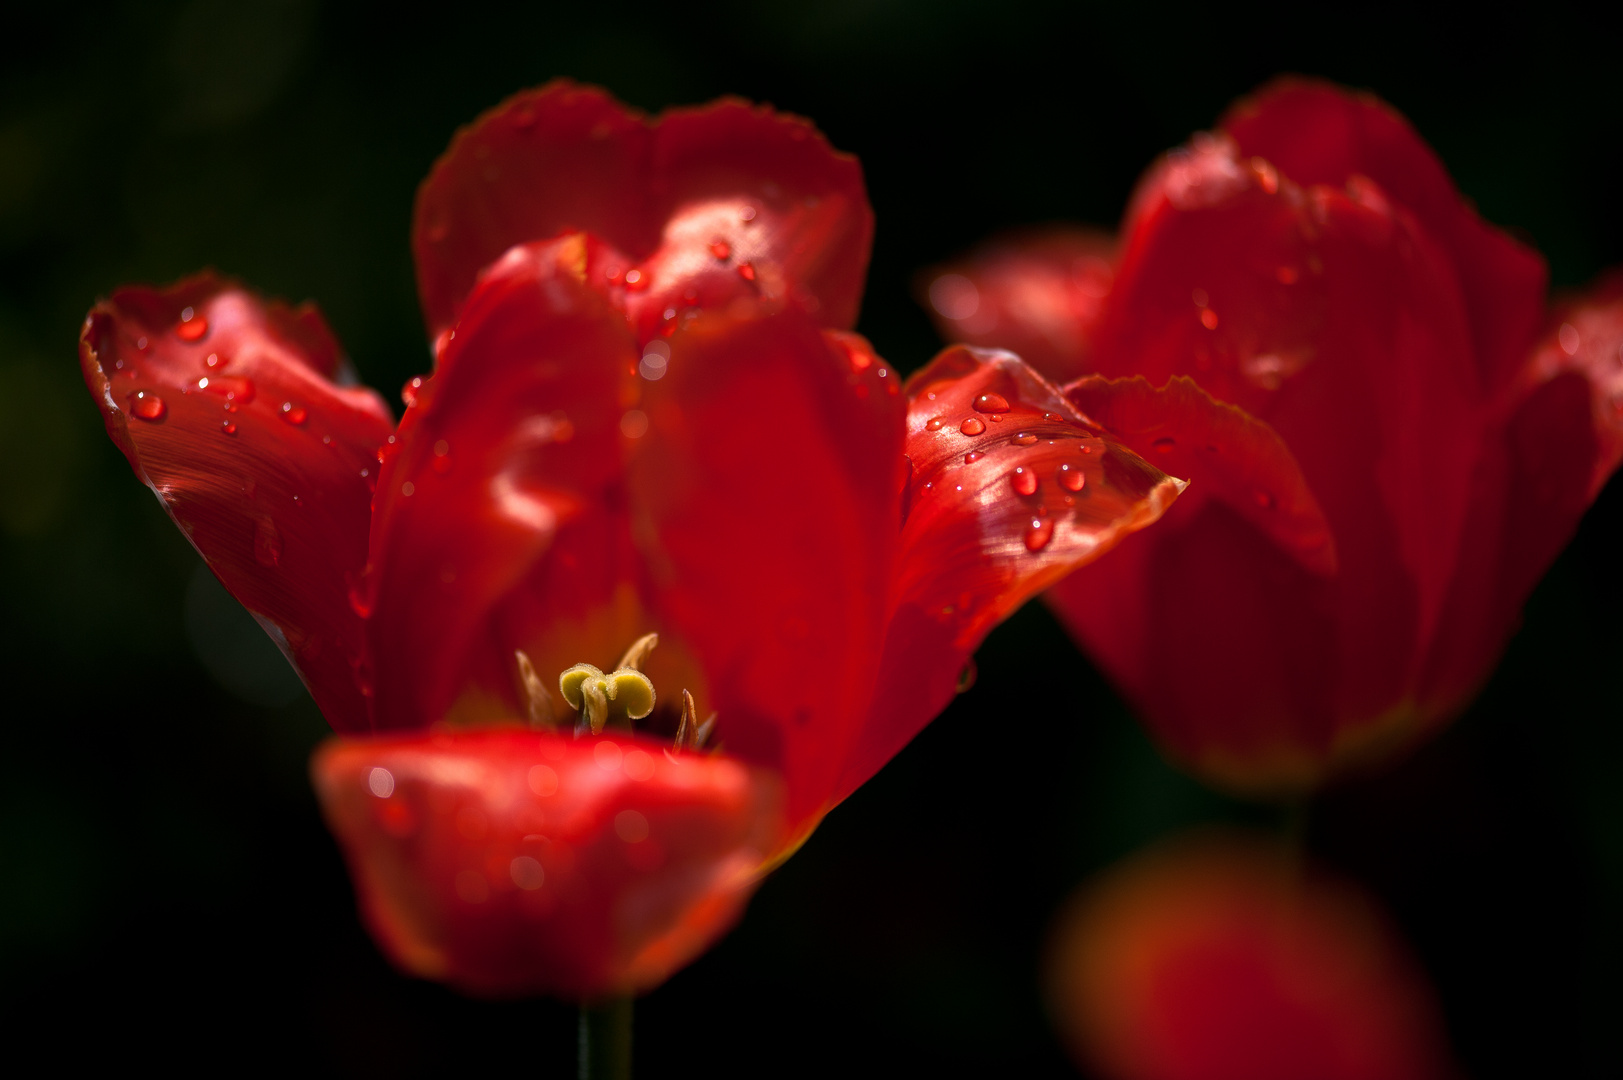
x,y
1388,434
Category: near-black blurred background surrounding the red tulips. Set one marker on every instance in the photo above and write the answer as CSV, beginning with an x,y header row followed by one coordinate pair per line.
x,y
168,889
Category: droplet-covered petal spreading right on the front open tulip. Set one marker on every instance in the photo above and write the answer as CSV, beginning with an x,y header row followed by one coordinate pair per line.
x,y
1010,491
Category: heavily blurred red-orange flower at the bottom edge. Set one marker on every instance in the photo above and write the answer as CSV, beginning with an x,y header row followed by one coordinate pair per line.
x,y
1223,959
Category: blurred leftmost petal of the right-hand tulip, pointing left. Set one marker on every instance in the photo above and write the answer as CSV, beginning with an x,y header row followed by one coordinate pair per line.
x,y
1040,295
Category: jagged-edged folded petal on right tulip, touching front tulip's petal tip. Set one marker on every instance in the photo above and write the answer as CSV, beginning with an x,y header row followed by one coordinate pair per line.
x,y
1226,452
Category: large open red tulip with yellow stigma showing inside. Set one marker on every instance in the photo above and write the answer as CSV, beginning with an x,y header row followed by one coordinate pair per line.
x,y
645,420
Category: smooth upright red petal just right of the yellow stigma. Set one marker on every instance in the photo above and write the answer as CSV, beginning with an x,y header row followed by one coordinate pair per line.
x,y
767,504
